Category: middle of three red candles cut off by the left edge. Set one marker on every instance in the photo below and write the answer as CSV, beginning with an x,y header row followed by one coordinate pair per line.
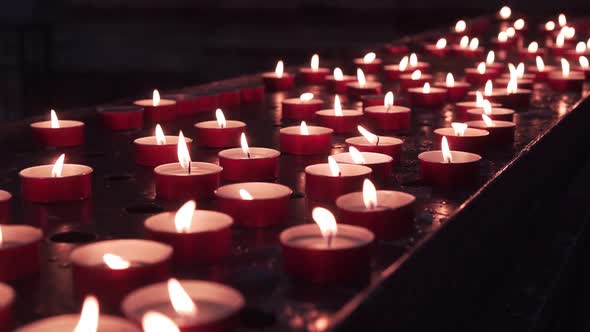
x,y
19,251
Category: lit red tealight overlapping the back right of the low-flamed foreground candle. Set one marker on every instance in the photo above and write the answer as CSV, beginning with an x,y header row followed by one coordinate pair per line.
x,y
197,237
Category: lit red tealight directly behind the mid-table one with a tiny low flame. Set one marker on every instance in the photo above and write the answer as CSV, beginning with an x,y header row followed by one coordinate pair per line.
x,y
249,164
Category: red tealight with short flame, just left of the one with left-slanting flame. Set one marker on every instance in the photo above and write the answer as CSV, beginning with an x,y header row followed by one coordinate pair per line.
x,y
306,140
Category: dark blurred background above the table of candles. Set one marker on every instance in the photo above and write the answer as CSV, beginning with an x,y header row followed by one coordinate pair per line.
x,y
71,53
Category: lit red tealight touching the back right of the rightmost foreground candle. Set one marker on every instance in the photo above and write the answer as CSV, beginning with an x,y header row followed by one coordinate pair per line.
x,y
386,213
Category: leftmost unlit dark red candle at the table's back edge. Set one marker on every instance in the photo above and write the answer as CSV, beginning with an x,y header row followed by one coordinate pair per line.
x,y
117,117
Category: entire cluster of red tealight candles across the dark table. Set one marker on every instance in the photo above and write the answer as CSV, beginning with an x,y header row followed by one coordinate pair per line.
x,y
135,274
